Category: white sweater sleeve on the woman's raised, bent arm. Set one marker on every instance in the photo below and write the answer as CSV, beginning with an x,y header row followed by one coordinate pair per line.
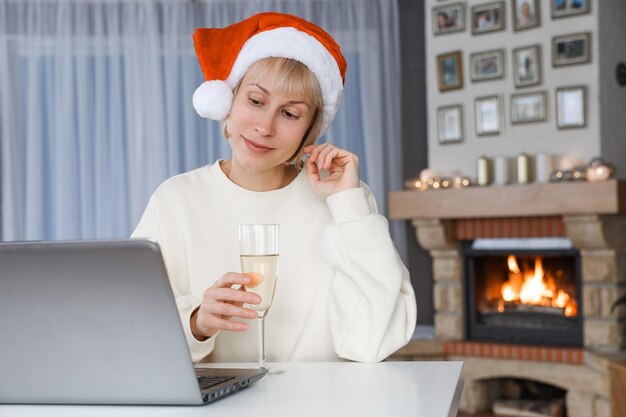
x,y
372,309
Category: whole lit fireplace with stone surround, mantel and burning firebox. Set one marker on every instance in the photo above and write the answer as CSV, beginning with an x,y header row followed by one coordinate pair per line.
x,y
497,345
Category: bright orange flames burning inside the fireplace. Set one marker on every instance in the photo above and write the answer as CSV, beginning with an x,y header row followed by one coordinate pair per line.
x,y
533,287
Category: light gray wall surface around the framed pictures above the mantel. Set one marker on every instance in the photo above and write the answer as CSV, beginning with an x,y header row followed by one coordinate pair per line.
x,y
530,138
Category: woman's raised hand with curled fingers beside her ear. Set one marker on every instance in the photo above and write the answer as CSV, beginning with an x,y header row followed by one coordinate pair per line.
x,y
342,166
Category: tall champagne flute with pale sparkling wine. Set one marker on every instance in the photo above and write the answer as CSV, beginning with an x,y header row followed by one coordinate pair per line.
x,y
259,257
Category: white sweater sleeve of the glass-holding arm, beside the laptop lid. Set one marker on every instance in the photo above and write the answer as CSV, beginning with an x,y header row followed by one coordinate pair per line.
x,y
150,227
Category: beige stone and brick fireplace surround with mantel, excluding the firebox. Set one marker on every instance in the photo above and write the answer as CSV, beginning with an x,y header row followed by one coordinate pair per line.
x,y
592,216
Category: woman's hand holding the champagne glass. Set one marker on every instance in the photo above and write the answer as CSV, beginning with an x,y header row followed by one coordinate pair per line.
x,y
220,303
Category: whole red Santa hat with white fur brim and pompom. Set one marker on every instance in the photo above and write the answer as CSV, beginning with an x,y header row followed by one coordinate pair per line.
x,y
226,54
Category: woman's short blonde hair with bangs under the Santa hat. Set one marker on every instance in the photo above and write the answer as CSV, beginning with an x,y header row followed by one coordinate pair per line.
x,y
293,78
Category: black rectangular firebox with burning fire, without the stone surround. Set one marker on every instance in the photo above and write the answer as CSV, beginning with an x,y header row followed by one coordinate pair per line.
x,y
522,296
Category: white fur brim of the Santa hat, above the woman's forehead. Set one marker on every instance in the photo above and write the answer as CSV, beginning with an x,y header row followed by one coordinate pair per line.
x,y
288,42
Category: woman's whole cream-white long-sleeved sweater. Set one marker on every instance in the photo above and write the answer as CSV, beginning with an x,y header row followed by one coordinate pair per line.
x,y
342,290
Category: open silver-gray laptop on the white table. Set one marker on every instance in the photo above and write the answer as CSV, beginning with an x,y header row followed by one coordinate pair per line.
x,y
95,322
